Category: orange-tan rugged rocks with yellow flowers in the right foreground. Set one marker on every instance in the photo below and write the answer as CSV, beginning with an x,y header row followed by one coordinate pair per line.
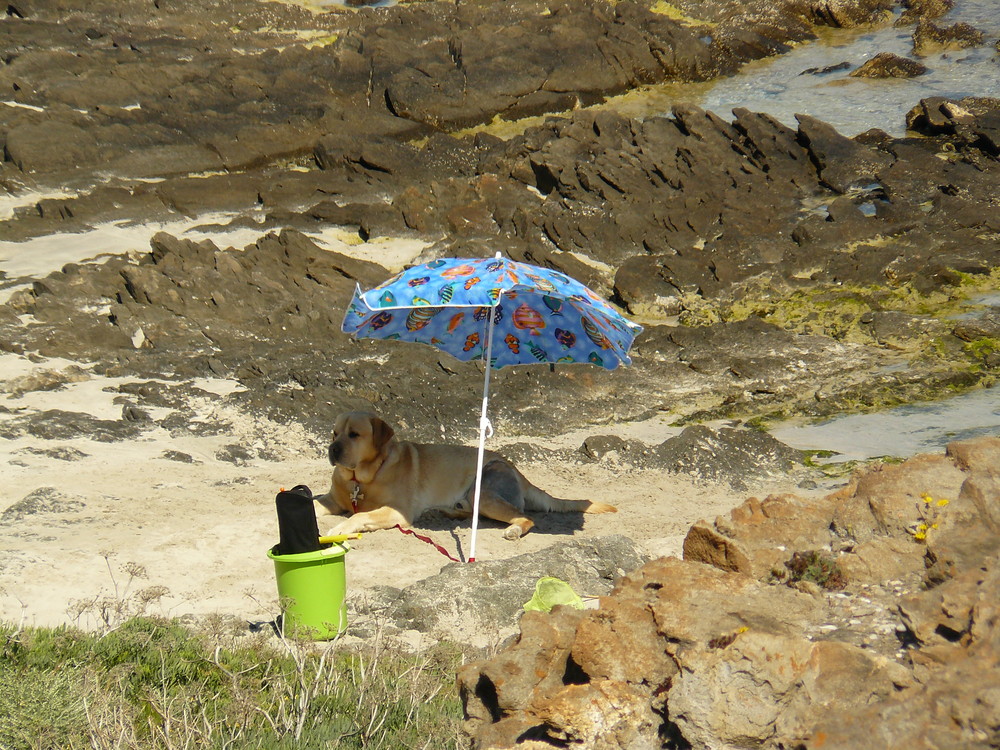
x,y
859,618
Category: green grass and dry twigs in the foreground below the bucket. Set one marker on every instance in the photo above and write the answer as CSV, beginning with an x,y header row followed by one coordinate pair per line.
x,y
155,683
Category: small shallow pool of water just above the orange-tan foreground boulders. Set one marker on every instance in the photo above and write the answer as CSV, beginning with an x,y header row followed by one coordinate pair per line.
x,y
904,431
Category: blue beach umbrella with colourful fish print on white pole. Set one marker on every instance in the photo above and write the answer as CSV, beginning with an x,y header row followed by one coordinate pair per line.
x,y
497,310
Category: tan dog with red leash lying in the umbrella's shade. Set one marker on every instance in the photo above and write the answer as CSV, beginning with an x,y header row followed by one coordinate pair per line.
x,y
398,480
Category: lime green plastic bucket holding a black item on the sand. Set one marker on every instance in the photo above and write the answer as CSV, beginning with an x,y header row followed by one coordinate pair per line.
x,y
312,592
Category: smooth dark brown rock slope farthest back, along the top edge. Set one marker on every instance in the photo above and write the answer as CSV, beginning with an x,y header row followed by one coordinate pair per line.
x,y
183,88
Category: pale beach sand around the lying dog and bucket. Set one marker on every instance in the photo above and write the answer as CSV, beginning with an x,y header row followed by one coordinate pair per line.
x,y
200,530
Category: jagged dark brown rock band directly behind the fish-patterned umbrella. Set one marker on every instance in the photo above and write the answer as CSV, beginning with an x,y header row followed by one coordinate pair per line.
x,y
777,305
